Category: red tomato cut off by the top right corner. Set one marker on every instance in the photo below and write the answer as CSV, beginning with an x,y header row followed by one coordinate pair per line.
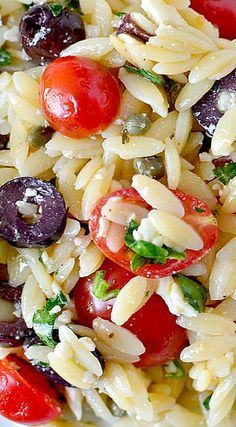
x,y
221,13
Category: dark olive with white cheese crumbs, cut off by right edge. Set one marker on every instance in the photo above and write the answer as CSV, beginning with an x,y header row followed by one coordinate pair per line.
x,y
216,102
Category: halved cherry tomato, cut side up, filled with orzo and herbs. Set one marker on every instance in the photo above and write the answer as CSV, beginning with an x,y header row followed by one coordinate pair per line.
x,y
201,220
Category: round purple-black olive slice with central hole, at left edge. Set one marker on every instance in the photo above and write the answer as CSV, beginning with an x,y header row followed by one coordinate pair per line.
x,y
32,213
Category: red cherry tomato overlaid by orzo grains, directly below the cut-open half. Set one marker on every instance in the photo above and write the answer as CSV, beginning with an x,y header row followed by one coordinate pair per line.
x,y
153,324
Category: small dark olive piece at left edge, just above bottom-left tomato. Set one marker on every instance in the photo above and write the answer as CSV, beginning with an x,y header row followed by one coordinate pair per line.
x,y
14,334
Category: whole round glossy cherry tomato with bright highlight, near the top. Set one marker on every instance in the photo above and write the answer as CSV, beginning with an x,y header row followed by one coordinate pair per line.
x,y
79,96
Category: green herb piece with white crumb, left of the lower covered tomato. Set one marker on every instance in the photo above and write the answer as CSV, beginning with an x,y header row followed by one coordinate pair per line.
x,y
44,320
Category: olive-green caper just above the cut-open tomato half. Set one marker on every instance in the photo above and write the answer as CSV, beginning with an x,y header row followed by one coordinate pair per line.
x,y
152,166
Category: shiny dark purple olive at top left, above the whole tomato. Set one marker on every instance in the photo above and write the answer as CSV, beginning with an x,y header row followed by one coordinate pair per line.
x,y
44,34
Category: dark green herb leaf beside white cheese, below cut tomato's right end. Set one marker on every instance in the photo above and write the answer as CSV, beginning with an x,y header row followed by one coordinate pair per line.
x,y
193,292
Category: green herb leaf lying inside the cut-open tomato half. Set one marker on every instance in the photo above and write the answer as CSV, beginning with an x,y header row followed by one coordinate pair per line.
x,y
146,252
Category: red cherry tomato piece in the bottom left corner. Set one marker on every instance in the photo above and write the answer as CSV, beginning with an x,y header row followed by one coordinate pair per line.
x,y
25,395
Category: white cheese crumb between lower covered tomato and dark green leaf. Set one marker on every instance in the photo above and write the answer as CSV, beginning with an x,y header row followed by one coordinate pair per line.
x,y
170,291
